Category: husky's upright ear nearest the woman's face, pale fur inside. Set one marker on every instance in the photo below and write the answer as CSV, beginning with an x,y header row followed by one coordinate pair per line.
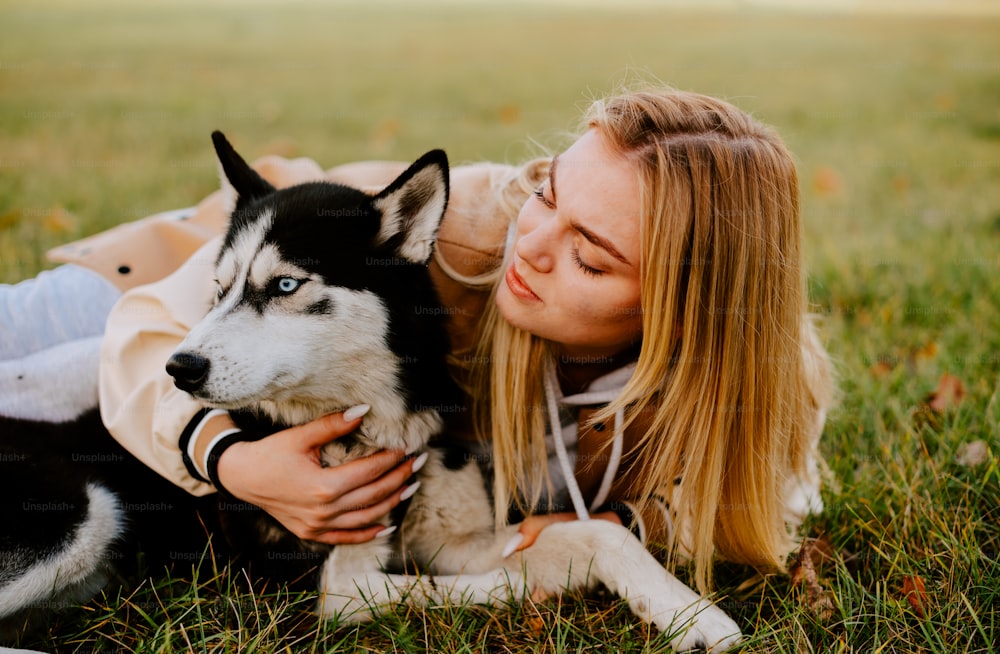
x,y
413,205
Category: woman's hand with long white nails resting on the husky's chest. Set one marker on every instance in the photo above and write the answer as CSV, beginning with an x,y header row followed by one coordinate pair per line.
x,y
282,474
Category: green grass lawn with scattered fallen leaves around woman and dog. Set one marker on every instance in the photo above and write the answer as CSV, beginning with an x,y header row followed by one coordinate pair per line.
x,y
105,113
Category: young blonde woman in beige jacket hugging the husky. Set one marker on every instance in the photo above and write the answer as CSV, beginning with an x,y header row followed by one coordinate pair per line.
x,y
629,318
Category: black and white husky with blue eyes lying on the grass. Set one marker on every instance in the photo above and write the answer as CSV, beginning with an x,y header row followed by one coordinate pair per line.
x,y
325,302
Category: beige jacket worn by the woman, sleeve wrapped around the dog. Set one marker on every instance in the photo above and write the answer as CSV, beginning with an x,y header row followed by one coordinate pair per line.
x,y
164,264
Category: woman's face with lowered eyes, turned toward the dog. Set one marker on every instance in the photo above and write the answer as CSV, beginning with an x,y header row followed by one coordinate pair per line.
x,y
574,272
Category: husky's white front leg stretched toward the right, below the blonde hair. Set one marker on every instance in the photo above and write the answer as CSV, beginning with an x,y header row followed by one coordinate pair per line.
x,y
579,555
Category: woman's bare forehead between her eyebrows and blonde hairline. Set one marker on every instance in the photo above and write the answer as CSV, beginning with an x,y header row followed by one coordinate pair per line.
x,y
599,188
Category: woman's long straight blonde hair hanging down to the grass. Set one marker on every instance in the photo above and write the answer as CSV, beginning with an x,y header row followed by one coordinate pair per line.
x,y
721,377
